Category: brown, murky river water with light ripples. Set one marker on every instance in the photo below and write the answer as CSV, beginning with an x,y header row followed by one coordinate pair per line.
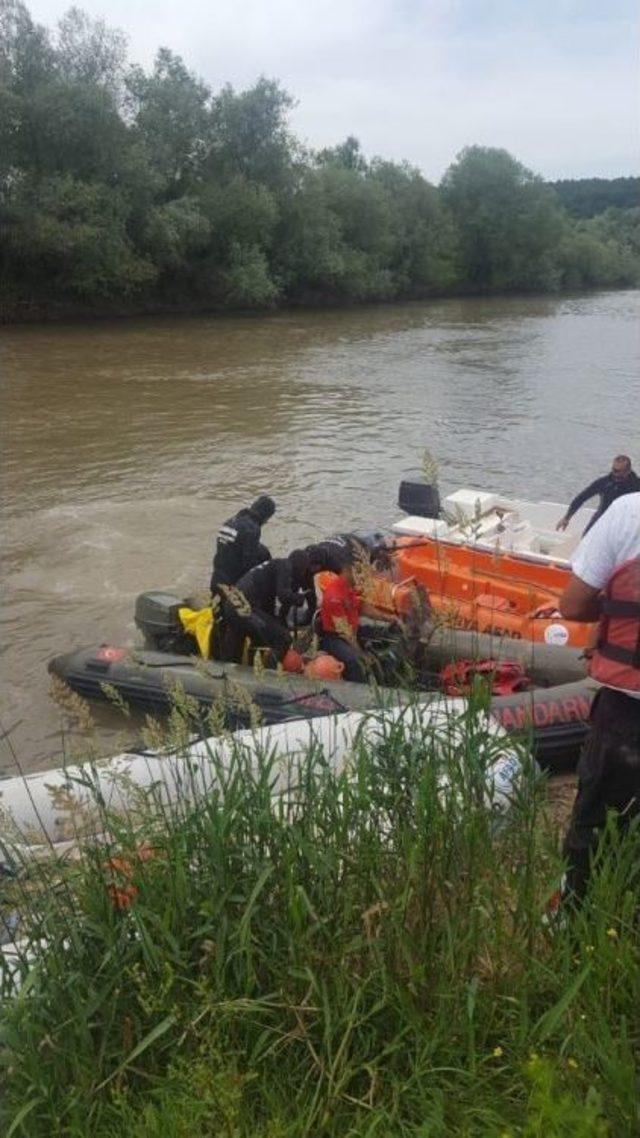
x,y
125,446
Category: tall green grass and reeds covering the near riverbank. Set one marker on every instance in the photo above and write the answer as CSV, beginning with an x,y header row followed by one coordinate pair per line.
x,y
363,954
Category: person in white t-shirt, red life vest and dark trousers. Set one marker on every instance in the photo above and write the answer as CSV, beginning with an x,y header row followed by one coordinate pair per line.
x,y
605,587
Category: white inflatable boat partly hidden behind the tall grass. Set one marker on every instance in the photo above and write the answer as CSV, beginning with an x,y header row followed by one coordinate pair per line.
x,y
50,812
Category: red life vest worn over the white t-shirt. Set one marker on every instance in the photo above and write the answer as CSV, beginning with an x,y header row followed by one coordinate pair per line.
x,y
617,659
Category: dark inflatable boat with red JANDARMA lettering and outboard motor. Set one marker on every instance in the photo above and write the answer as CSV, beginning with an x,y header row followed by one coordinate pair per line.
x,y
554,714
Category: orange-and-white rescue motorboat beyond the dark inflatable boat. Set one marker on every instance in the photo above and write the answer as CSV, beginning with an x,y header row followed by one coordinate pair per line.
x,y
488,564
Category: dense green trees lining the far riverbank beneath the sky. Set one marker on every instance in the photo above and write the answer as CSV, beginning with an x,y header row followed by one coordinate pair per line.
x,y
128,187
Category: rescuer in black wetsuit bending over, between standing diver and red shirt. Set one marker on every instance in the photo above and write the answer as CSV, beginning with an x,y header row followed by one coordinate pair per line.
x,y
257,607
